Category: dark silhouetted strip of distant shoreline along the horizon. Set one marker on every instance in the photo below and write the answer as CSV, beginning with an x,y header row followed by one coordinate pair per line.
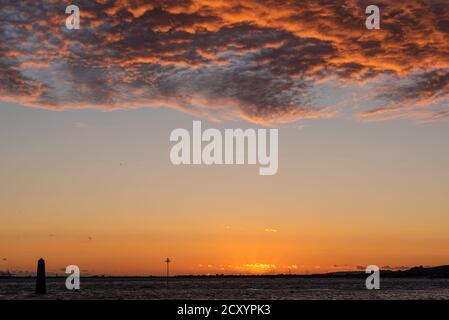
x,y
414,272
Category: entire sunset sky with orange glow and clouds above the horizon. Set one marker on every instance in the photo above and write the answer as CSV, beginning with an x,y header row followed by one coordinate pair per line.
x,y
86,115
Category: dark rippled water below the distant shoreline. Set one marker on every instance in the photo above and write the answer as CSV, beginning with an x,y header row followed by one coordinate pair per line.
x,y
229,288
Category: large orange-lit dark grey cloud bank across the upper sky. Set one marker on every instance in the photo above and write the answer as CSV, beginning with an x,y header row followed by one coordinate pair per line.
x,y
256,60
